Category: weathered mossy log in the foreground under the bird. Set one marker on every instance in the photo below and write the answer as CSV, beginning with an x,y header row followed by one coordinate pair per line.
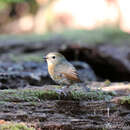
x,y
105,106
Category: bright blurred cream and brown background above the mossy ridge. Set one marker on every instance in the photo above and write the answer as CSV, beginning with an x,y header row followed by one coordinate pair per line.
x,y
40,16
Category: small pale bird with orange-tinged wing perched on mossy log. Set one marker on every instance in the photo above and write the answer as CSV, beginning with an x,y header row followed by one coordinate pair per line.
x,y
61,70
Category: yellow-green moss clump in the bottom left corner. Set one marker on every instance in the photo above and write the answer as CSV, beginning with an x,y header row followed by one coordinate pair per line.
x,y
14,126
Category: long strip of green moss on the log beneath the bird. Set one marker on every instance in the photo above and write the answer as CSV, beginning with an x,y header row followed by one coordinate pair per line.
x,y
30,95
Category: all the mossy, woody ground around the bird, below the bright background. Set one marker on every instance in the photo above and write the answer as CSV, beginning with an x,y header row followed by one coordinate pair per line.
x,y
28,97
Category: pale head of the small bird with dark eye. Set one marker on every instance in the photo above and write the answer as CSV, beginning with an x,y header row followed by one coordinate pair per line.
x,y
54,58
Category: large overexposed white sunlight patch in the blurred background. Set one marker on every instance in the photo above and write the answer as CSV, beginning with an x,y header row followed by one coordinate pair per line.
x,y
88,14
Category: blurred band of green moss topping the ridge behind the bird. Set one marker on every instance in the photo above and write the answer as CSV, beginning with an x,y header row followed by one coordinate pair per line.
x,y
100,35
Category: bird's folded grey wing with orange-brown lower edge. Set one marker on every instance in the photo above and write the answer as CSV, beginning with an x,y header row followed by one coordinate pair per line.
x,y
68,71
